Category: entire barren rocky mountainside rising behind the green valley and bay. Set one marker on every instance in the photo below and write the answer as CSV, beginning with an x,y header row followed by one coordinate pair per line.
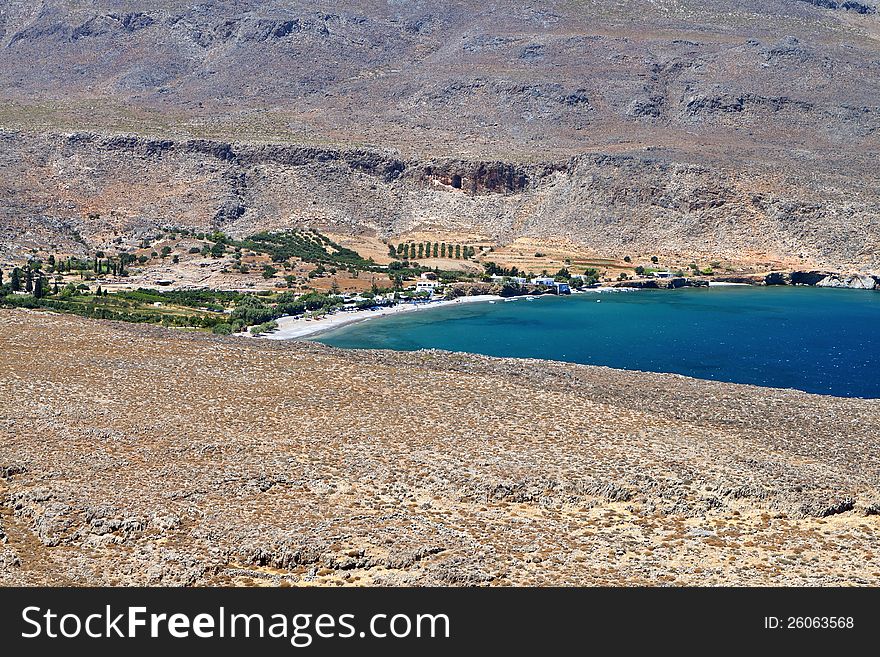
x,y
742,130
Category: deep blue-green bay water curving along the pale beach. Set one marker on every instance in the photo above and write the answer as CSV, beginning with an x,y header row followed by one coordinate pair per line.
x,y
818,340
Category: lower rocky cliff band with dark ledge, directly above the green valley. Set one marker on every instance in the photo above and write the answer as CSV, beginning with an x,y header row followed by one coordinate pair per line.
x,y
85,186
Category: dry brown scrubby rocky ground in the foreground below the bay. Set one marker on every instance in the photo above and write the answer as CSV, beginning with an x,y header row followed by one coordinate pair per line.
x,y
138,455
